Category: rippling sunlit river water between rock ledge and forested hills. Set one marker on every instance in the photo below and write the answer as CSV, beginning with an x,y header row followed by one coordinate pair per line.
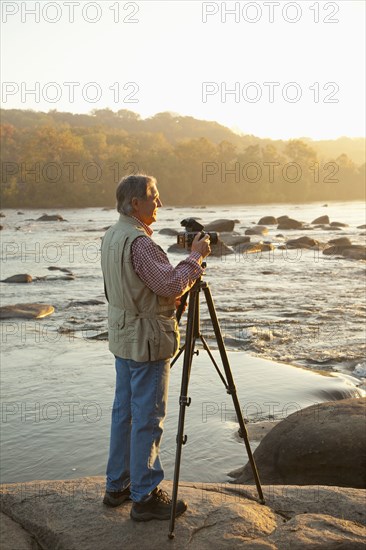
x,y
298,307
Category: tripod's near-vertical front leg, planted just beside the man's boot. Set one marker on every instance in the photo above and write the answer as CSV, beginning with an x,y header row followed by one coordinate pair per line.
x,y
184,400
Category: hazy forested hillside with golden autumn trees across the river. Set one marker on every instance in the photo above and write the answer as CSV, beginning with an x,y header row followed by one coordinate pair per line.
x,y
60,159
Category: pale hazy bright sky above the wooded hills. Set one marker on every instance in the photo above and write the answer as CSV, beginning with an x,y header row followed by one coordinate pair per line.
x,y
274,69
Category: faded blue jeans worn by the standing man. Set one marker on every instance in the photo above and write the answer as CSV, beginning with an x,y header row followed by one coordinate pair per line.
x,y
139,410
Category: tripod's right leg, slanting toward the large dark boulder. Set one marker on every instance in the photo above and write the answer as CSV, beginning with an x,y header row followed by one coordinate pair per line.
x,y
231,389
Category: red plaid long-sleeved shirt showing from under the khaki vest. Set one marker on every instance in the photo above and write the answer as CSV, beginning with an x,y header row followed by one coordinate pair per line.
x,y
153,267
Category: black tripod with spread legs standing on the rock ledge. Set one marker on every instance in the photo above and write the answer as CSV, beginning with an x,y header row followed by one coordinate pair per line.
x,y
192,334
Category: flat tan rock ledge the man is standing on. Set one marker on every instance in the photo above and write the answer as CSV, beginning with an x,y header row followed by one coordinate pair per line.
x,y
69,515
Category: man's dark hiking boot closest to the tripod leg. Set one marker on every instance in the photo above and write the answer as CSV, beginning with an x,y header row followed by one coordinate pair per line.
x,y
157,506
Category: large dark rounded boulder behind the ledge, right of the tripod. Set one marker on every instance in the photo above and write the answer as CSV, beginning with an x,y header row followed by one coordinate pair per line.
x,y
322,444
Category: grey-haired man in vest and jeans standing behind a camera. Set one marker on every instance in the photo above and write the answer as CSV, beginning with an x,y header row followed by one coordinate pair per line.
x,y
142,289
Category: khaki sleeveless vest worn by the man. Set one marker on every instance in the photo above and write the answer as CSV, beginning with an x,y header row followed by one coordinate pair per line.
x,y
142,325
